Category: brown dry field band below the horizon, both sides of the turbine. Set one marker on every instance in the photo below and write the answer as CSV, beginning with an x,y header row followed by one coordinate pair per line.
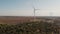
x,y
22,19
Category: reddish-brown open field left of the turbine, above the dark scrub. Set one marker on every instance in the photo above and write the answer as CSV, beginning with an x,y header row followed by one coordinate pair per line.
x,y
14,20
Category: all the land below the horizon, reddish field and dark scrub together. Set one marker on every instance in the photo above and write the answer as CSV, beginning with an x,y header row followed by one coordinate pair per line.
x,y
27,25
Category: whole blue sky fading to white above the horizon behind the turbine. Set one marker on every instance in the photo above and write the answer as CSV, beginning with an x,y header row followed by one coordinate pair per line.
x,y
25,7
